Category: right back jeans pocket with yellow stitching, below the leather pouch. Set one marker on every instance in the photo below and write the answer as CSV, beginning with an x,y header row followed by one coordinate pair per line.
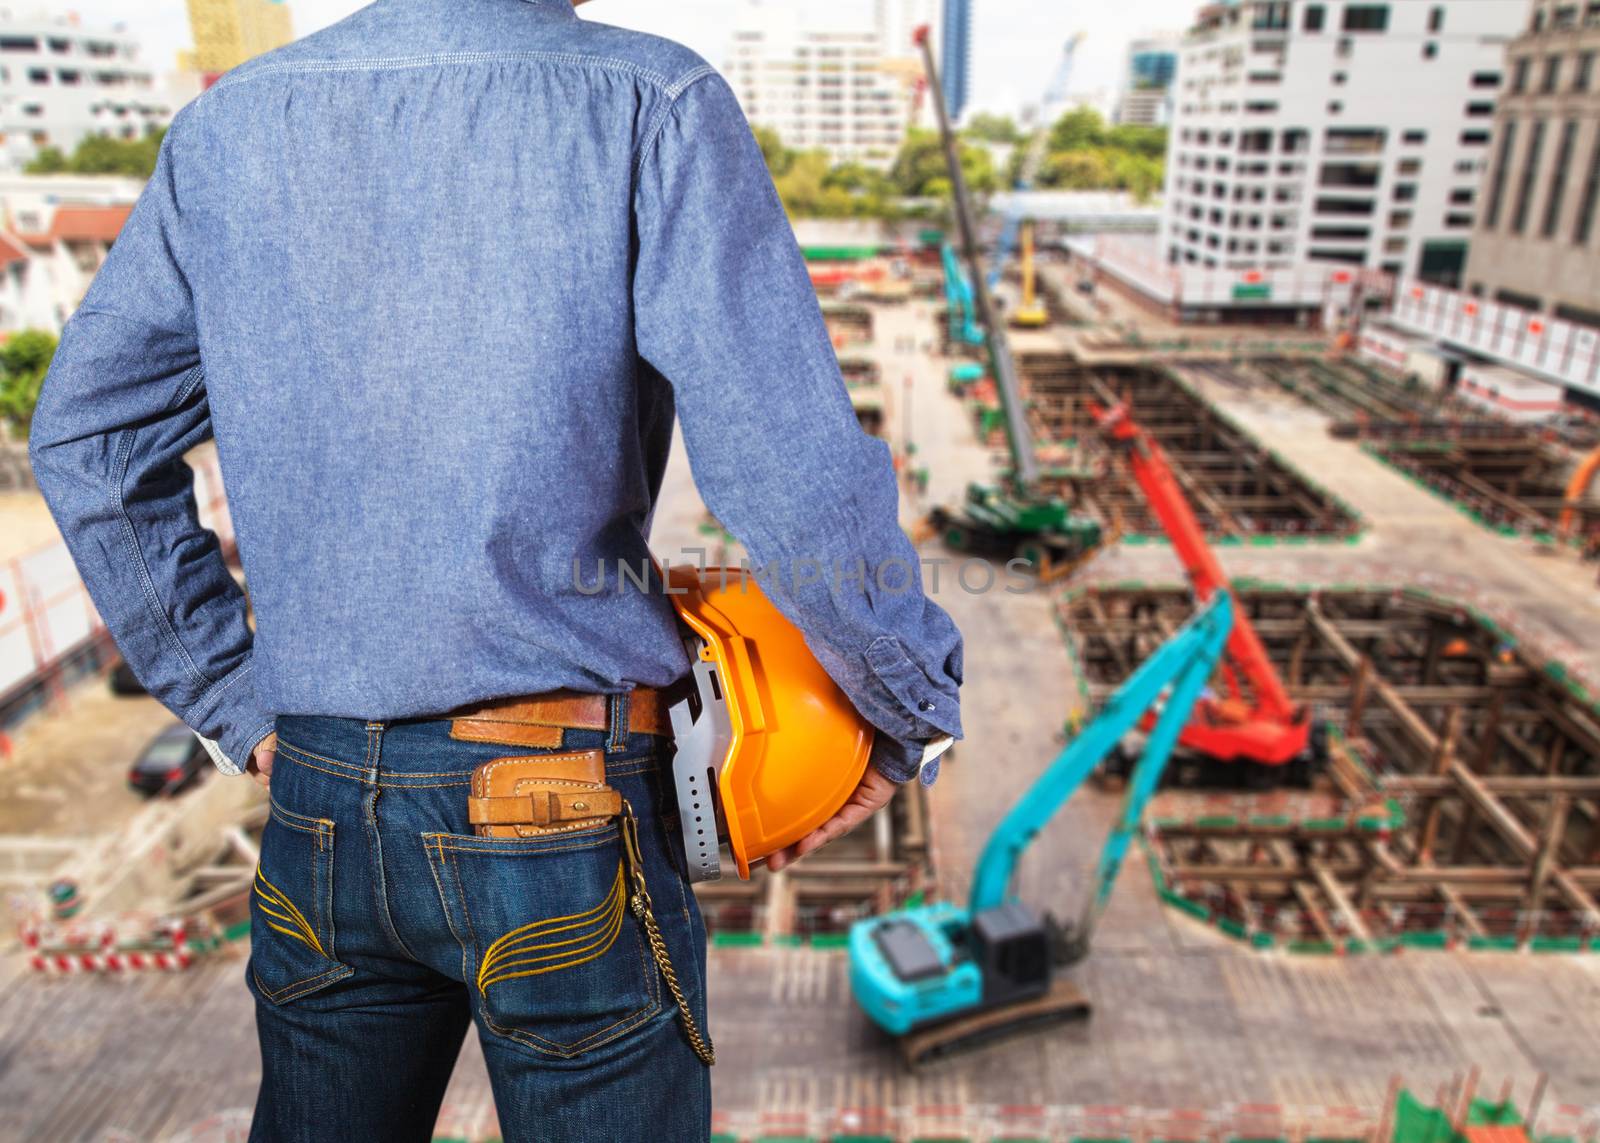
x,y
548,939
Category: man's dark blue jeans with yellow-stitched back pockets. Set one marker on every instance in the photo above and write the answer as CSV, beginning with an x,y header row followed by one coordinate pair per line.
x,y
374,910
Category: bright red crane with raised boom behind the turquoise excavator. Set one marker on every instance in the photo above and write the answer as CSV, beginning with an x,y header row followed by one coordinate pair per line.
x,y
1254,718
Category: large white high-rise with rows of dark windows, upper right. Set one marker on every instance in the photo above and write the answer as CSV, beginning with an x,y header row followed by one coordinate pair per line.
x,y
1335,130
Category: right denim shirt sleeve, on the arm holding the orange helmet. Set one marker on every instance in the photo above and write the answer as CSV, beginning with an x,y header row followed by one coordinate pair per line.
x,y
727,315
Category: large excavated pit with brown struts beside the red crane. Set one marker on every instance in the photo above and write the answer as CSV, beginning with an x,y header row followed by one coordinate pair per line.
x,y
1465,779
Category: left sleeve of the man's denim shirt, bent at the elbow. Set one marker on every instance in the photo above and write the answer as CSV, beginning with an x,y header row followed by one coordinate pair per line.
x,y
121,406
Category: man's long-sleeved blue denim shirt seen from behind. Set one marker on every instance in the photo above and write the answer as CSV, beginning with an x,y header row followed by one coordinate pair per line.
x,y
439,279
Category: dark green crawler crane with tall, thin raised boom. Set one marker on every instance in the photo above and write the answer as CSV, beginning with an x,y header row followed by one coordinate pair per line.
x,y
1015,521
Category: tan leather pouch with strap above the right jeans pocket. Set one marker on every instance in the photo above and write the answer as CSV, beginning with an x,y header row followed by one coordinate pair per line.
x,y
542,795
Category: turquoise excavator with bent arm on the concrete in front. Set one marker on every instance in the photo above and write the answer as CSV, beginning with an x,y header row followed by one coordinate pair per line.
x,y
940,977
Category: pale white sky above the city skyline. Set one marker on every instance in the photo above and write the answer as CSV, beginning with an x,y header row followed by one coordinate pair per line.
x,y
1015,42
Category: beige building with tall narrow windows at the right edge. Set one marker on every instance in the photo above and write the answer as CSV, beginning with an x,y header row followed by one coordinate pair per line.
x,y
1537,243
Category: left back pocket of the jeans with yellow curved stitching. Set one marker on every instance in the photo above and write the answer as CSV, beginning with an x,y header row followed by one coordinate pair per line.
x,y
292,936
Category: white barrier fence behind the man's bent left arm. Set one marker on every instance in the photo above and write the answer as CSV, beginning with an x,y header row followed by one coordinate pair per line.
x,y
47,617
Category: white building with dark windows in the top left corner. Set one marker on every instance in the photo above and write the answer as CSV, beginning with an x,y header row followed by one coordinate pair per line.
x,y
62,82
